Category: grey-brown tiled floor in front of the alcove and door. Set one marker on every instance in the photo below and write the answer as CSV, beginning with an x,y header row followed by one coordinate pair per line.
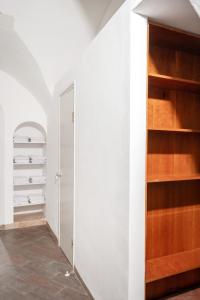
x,y
32,267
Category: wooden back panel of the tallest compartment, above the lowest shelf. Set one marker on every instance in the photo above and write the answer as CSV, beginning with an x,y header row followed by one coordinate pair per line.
x,y
173,213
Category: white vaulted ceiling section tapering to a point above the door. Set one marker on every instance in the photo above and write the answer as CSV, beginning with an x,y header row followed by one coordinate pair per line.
x,y
56,32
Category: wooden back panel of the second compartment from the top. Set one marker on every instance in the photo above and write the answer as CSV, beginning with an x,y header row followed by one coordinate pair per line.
x,y
173,109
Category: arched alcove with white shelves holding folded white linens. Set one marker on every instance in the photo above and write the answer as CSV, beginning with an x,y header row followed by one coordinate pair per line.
x,y
29,172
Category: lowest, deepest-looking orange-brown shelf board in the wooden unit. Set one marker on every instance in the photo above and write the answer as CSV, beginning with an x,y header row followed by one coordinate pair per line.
x,y
170,265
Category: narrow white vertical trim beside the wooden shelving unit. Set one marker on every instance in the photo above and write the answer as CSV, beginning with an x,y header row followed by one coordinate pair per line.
x,y
137,175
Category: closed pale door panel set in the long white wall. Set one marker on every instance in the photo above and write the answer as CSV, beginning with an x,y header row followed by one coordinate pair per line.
x,y
67,172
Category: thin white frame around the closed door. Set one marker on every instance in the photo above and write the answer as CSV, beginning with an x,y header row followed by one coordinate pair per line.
x,y
68,89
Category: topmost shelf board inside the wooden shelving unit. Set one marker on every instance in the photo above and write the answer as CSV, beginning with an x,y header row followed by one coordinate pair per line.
x,y
174,83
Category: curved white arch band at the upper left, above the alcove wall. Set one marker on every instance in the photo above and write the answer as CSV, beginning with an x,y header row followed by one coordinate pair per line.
x,y
17,61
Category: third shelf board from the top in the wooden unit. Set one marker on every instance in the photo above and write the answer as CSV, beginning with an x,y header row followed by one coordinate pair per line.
x,y
173,178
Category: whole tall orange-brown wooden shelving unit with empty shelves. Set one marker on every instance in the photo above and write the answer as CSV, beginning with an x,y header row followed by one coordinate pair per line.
x,y
173,161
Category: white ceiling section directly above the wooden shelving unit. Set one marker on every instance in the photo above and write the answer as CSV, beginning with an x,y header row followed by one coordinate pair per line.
x,y
175,13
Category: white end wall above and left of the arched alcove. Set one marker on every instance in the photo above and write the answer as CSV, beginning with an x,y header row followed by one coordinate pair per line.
x,y
18,106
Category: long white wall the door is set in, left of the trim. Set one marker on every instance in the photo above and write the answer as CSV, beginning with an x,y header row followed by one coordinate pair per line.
x,y
102,160
